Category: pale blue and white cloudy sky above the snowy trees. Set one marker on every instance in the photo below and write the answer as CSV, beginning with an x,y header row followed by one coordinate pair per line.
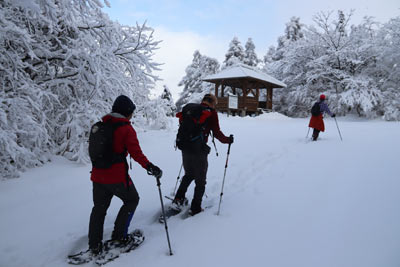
x,y
210,25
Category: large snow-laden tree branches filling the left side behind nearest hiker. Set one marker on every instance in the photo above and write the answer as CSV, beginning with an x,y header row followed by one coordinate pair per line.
x,y
62,65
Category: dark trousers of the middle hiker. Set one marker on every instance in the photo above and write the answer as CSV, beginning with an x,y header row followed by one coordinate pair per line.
x,y
195,166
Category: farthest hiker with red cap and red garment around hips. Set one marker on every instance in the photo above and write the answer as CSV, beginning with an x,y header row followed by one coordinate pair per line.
x,y
316,121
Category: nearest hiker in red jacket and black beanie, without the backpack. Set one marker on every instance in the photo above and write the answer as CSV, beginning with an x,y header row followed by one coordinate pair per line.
x,y
115,181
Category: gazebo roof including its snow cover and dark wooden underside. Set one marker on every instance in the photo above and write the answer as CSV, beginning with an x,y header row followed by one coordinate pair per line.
x,y
232,76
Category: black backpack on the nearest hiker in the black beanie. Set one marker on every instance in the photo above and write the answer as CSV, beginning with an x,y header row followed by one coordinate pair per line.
x,y
101,145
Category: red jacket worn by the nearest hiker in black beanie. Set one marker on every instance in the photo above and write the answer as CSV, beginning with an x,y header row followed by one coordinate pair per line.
x,y
125,139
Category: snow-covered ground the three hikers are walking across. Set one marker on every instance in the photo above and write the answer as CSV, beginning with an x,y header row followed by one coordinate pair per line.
x,y
287,201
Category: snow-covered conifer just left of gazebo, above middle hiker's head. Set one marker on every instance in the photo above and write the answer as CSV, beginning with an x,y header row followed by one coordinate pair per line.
x,y
193,86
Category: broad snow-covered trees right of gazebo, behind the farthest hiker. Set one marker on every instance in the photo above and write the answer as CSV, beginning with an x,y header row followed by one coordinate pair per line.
x,y
345,62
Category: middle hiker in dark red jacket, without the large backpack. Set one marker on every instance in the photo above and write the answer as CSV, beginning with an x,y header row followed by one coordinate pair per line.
x,y
195,162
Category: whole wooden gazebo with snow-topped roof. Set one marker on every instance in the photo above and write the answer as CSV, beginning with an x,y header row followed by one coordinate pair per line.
x,y
249,81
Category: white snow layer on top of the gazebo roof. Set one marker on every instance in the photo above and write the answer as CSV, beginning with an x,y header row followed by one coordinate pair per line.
x,y
244,71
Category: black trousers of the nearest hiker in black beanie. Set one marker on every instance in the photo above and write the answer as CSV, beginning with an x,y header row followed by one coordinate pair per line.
x,y
102,195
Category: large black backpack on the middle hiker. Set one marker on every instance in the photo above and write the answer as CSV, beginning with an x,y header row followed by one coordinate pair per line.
x,y
190,135
